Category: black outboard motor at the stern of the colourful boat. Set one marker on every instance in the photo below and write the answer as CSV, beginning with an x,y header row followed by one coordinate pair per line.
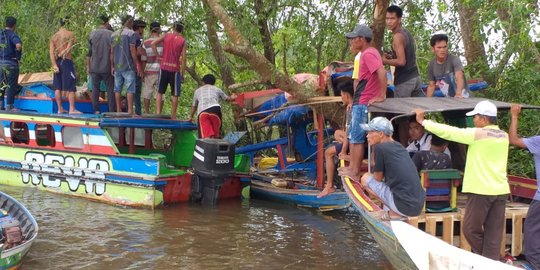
x,y
213,161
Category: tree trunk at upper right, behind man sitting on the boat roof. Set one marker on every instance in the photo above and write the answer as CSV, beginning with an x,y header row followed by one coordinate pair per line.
x,y
472,39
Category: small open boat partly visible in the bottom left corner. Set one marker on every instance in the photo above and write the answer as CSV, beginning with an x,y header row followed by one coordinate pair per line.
x,y
11,257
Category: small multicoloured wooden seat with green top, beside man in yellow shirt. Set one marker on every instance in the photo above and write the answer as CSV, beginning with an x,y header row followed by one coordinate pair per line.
x,y
441,189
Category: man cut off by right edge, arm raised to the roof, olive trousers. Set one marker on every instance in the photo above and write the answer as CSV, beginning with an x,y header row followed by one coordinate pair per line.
x,y
531,228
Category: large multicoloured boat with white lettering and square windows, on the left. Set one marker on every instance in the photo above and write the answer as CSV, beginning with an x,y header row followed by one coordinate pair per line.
x,y
112,158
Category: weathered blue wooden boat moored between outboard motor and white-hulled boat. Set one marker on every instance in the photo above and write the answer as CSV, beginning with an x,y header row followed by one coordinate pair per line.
x,y
297,181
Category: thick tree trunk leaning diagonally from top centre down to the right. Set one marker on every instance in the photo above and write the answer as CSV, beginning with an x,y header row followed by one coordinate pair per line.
x,y
258,62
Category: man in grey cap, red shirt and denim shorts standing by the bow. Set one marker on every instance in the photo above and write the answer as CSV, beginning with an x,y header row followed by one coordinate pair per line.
x,y
371,88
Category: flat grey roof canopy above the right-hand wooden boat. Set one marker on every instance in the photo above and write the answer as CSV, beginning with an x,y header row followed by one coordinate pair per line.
x,y
405,106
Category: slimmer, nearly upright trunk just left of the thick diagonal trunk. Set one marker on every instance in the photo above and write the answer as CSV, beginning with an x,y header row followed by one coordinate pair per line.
x,y
217,50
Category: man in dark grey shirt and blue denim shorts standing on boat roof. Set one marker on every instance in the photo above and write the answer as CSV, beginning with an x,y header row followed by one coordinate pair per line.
x,y
126,64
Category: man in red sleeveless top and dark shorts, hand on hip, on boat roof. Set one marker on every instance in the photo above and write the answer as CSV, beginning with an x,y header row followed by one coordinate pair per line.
x,y
172,67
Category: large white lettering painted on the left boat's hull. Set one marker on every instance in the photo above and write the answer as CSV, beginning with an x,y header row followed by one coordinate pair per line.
x,y
50,170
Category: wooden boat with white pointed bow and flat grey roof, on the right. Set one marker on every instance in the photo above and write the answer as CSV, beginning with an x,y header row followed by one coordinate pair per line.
x,y
429,241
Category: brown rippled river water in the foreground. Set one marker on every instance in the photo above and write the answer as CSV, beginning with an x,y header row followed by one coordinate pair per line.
x,y
76,233
